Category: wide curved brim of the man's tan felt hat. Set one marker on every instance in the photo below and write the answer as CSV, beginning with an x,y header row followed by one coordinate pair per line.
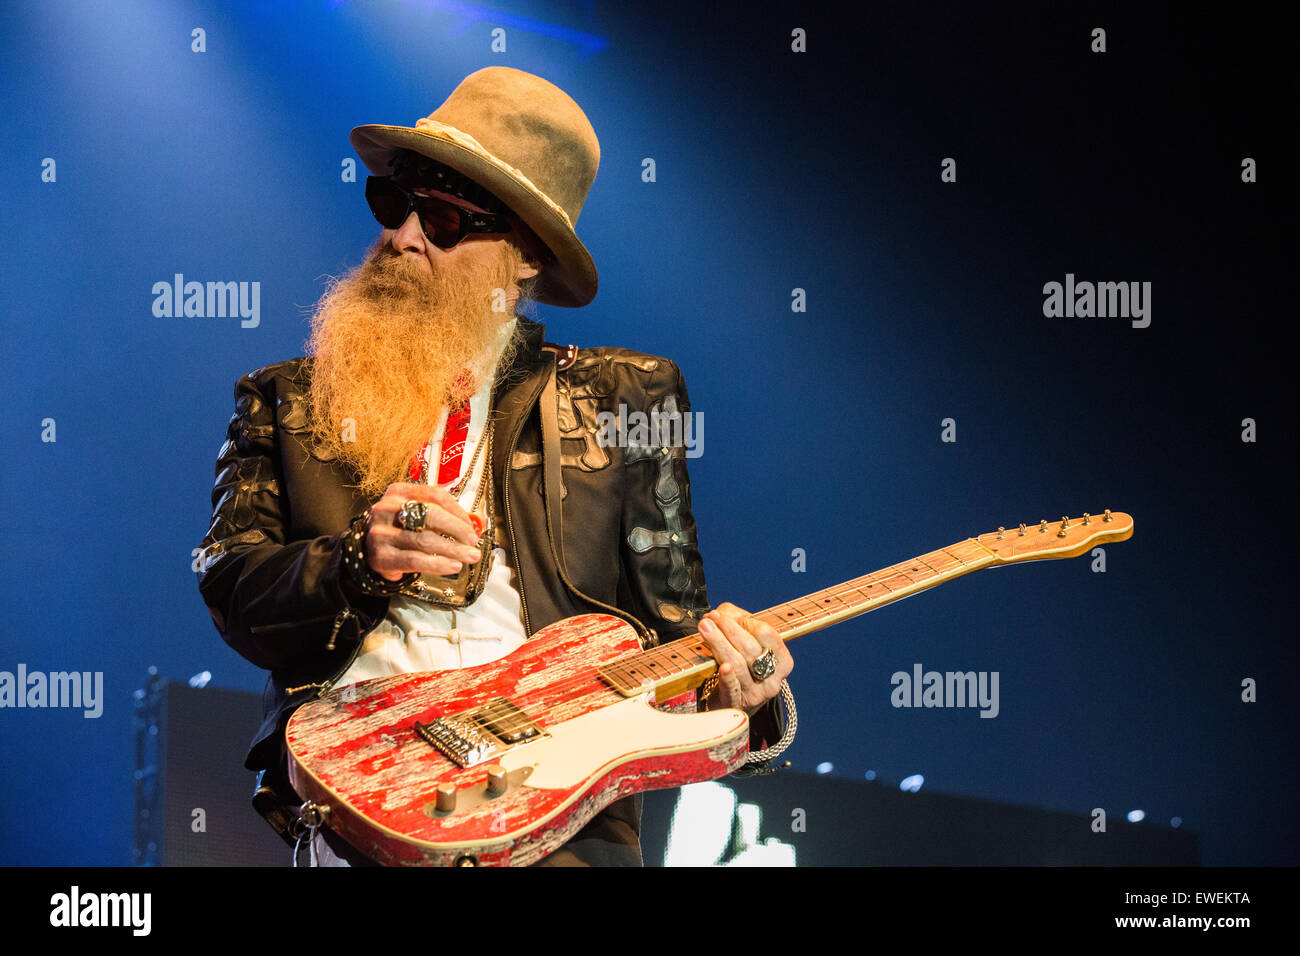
x,y
569,282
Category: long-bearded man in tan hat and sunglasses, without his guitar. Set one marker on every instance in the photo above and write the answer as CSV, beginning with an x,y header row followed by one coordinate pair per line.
x,y
383,507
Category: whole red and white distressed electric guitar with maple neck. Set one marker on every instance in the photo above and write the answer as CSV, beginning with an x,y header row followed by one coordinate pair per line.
x,y
504,763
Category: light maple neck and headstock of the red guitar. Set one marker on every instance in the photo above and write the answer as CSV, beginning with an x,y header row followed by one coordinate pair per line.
x,y
671,669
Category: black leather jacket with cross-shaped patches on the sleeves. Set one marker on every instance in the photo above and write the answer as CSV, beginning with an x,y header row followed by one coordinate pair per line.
x,y
271,568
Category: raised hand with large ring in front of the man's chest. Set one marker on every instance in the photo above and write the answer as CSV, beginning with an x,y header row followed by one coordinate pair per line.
x,y
393,552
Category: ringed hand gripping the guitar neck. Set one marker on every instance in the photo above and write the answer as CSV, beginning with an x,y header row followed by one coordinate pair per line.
x,y
736,639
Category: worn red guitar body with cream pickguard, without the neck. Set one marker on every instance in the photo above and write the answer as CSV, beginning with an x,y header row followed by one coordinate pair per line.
x,y
557,737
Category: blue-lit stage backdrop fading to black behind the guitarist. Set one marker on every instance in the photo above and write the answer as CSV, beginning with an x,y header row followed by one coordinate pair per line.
x,y
774,171
